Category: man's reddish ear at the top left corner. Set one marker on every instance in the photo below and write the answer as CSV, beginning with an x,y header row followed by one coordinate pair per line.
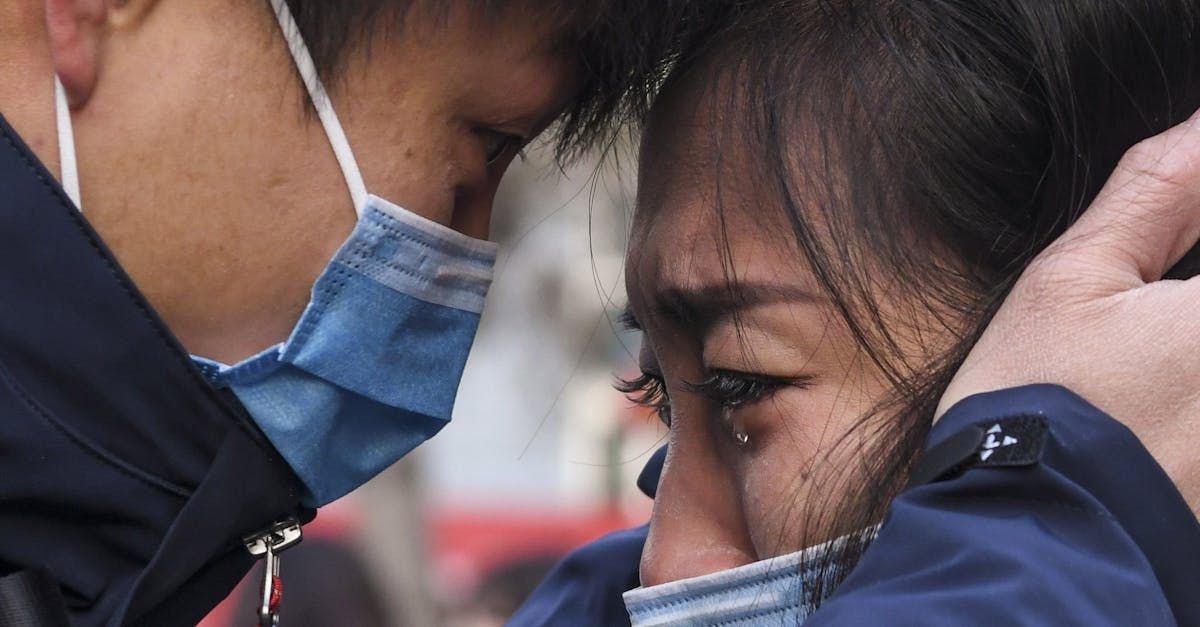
x,y
76,28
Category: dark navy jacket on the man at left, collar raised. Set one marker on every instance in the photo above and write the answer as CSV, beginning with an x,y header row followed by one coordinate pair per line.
x,y
124,476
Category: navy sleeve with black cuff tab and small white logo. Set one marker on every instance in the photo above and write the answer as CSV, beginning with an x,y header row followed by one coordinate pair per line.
x,y
1030,507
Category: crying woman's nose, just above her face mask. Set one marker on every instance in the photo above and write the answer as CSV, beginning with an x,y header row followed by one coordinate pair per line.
x,y
698,527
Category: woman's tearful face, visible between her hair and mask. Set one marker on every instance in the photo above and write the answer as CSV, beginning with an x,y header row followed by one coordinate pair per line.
x,y
765,379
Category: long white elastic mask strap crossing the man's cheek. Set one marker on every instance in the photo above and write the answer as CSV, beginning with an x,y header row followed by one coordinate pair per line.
x,y
323,105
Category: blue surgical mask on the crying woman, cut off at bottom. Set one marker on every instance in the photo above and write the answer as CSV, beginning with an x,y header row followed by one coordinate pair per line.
x,y
777,592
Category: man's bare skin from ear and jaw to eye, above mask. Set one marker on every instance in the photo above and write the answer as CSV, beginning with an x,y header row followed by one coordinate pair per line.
x,y
206,172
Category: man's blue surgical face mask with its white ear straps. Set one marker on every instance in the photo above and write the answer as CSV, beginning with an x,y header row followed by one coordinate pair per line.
x,y
373,367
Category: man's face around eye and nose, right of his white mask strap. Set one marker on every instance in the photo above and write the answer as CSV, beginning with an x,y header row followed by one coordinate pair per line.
x,y
439,115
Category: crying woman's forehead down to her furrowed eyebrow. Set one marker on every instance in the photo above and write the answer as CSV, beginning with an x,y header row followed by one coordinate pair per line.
x,y
704,213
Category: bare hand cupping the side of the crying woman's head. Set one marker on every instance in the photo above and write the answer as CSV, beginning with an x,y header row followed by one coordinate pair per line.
x,y
1094,313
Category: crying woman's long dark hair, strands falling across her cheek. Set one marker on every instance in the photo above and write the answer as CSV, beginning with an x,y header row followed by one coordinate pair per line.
x,y
953,140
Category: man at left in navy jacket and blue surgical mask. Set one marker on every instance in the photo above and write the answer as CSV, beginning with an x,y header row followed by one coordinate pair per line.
x,y
184,372
